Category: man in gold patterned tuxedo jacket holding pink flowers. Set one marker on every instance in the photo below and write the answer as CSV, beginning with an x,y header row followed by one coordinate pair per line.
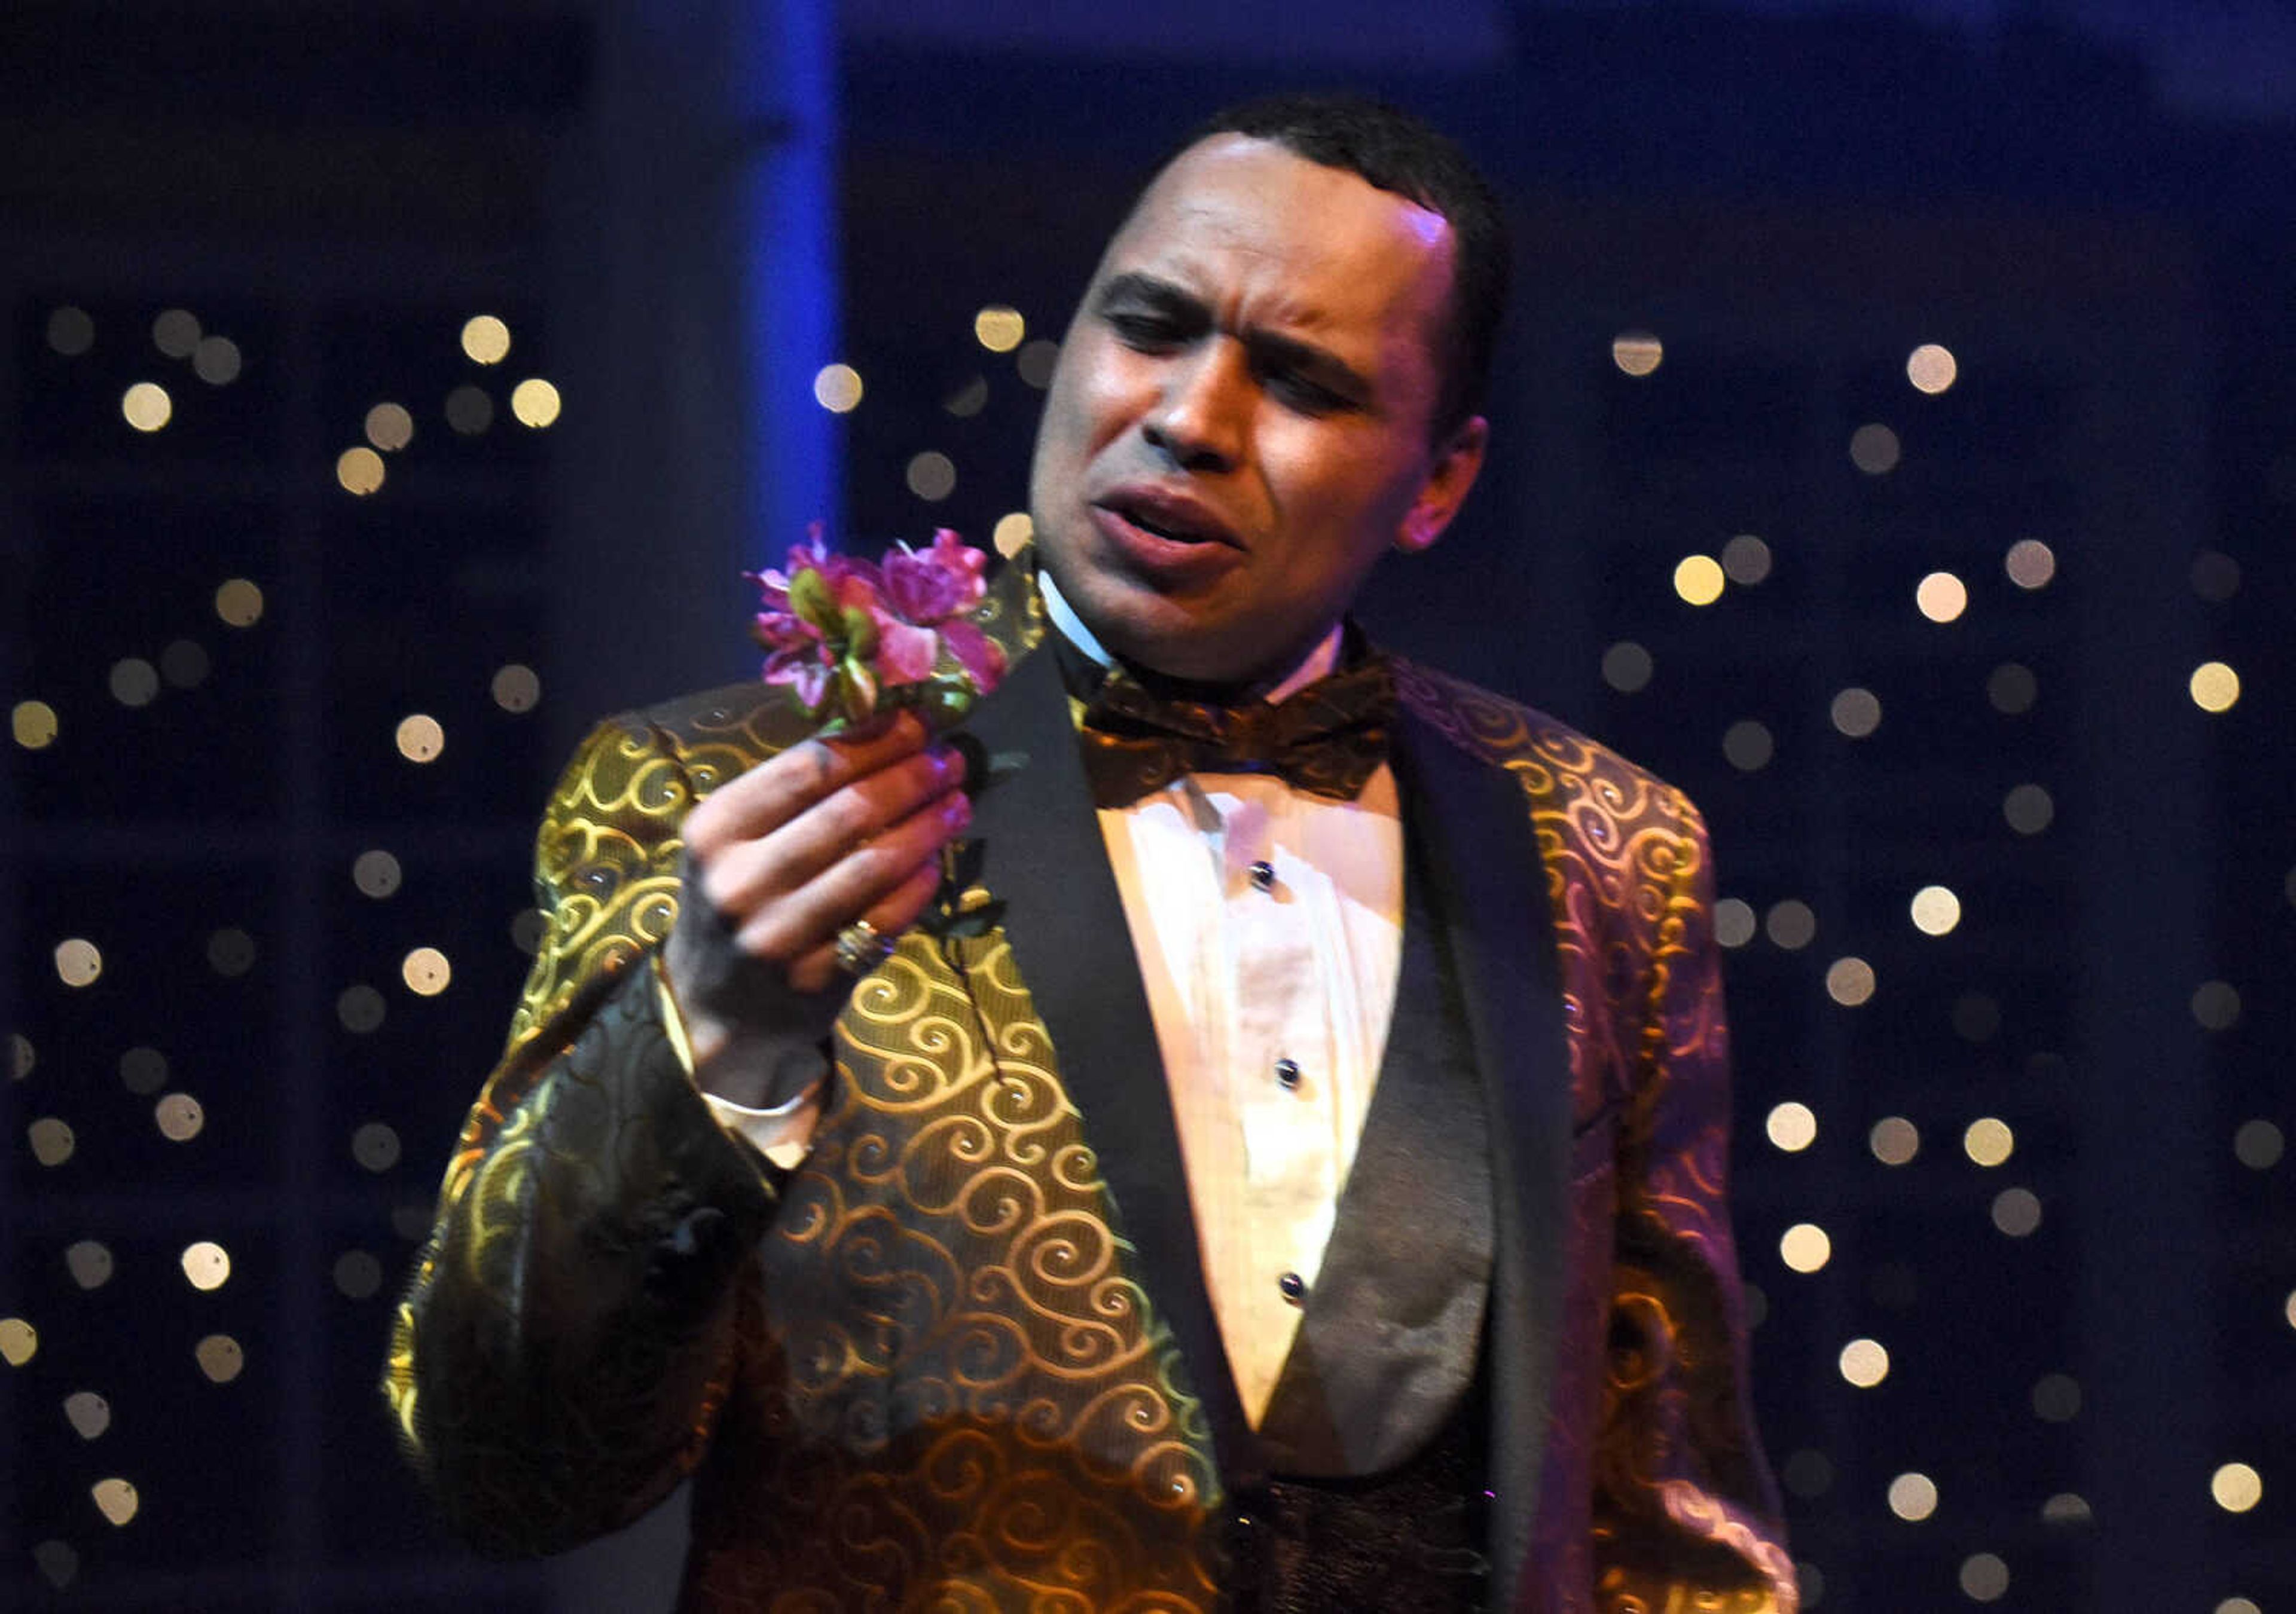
x,y
1269,1181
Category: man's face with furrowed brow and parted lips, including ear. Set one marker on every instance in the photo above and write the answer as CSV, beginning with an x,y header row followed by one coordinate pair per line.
x,y
1239,424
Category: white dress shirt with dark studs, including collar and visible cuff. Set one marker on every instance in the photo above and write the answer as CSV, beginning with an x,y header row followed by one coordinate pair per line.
x,y
1269,929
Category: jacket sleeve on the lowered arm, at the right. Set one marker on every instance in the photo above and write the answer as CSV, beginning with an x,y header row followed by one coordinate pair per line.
x,y
1684,1507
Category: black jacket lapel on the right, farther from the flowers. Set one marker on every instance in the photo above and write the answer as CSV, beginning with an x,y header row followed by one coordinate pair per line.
x,y
1482,855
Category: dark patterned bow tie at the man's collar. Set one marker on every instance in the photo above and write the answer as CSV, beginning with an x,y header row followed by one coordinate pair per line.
x,y
1326,740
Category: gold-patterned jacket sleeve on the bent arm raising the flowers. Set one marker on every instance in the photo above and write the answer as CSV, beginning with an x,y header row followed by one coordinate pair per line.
x,y
568,1335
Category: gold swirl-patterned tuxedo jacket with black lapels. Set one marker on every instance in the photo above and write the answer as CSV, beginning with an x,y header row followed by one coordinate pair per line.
x,y
963,1356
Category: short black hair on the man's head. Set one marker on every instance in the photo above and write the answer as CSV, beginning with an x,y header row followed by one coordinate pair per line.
x,y
1402,153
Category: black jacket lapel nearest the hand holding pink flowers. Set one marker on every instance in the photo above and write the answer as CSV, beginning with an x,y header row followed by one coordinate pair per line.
x,y
1044,858
